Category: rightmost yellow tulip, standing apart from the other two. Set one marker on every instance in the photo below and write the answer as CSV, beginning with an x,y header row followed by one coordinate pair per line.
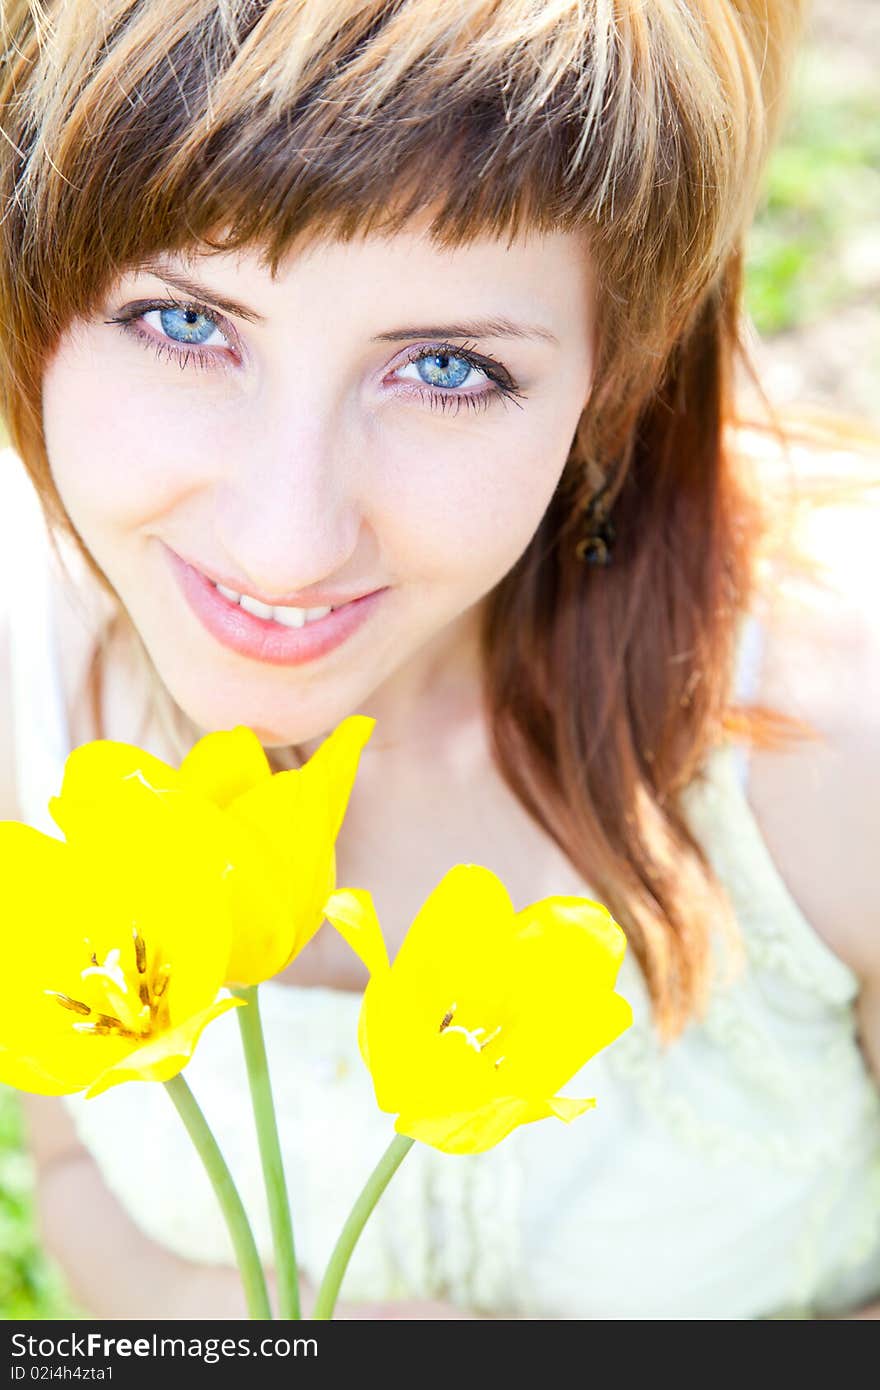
x,y
486,1013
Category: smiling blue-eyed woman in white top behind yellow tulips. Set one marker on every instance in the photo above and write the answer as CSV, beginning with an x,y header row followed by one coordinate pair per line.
x,y
440,319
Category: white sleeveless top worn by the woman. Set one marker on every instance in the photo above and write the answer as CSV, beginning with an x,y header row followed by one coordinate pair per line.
x,y
736,1177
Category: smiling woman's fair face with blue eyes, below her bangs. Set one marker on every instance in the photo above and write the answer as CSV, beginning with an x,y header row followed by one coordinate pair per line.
x,y
280,437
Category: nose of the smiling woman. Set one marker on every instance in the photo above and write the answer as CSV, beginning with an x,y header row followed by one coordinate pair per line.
x,y
290,516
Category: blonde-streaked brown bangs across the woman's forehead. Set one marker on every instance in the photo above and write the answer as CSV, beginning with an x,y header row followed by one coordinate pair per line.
x,y
180,126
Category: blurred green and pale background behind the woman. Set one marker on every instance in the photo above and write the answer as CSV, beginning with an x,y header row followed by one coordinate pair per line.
x,y
814,295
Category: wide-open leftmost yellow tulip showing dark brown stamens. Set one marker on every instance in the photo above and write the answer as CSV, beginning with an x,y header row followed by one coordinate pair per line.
x,y
116,943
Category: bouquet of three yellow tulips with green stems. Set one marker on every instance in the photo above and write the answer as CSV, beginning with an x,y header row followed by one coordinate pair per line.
x,y
177,892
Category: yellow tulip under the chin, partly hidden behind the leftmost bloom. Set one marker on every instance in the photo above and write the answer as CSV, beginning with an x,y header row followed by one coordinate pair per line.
x,y
279,829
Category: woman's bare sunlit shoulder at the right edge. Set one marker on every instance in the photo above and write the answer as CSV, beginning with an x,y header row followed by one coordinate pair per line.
x,y
817,803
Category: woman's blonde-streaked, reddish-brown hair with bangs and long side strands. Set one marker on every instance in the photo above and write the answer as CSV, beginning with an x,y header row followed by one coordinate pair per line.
x,y
134,130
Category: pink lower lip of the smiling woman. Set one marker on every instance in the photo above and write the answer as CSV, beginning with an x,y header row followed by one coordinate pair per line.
x,y
261,639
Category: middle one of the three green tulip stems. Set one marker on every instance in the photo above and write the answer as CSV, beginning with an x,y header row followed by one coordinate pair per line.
x,y
256,1061
